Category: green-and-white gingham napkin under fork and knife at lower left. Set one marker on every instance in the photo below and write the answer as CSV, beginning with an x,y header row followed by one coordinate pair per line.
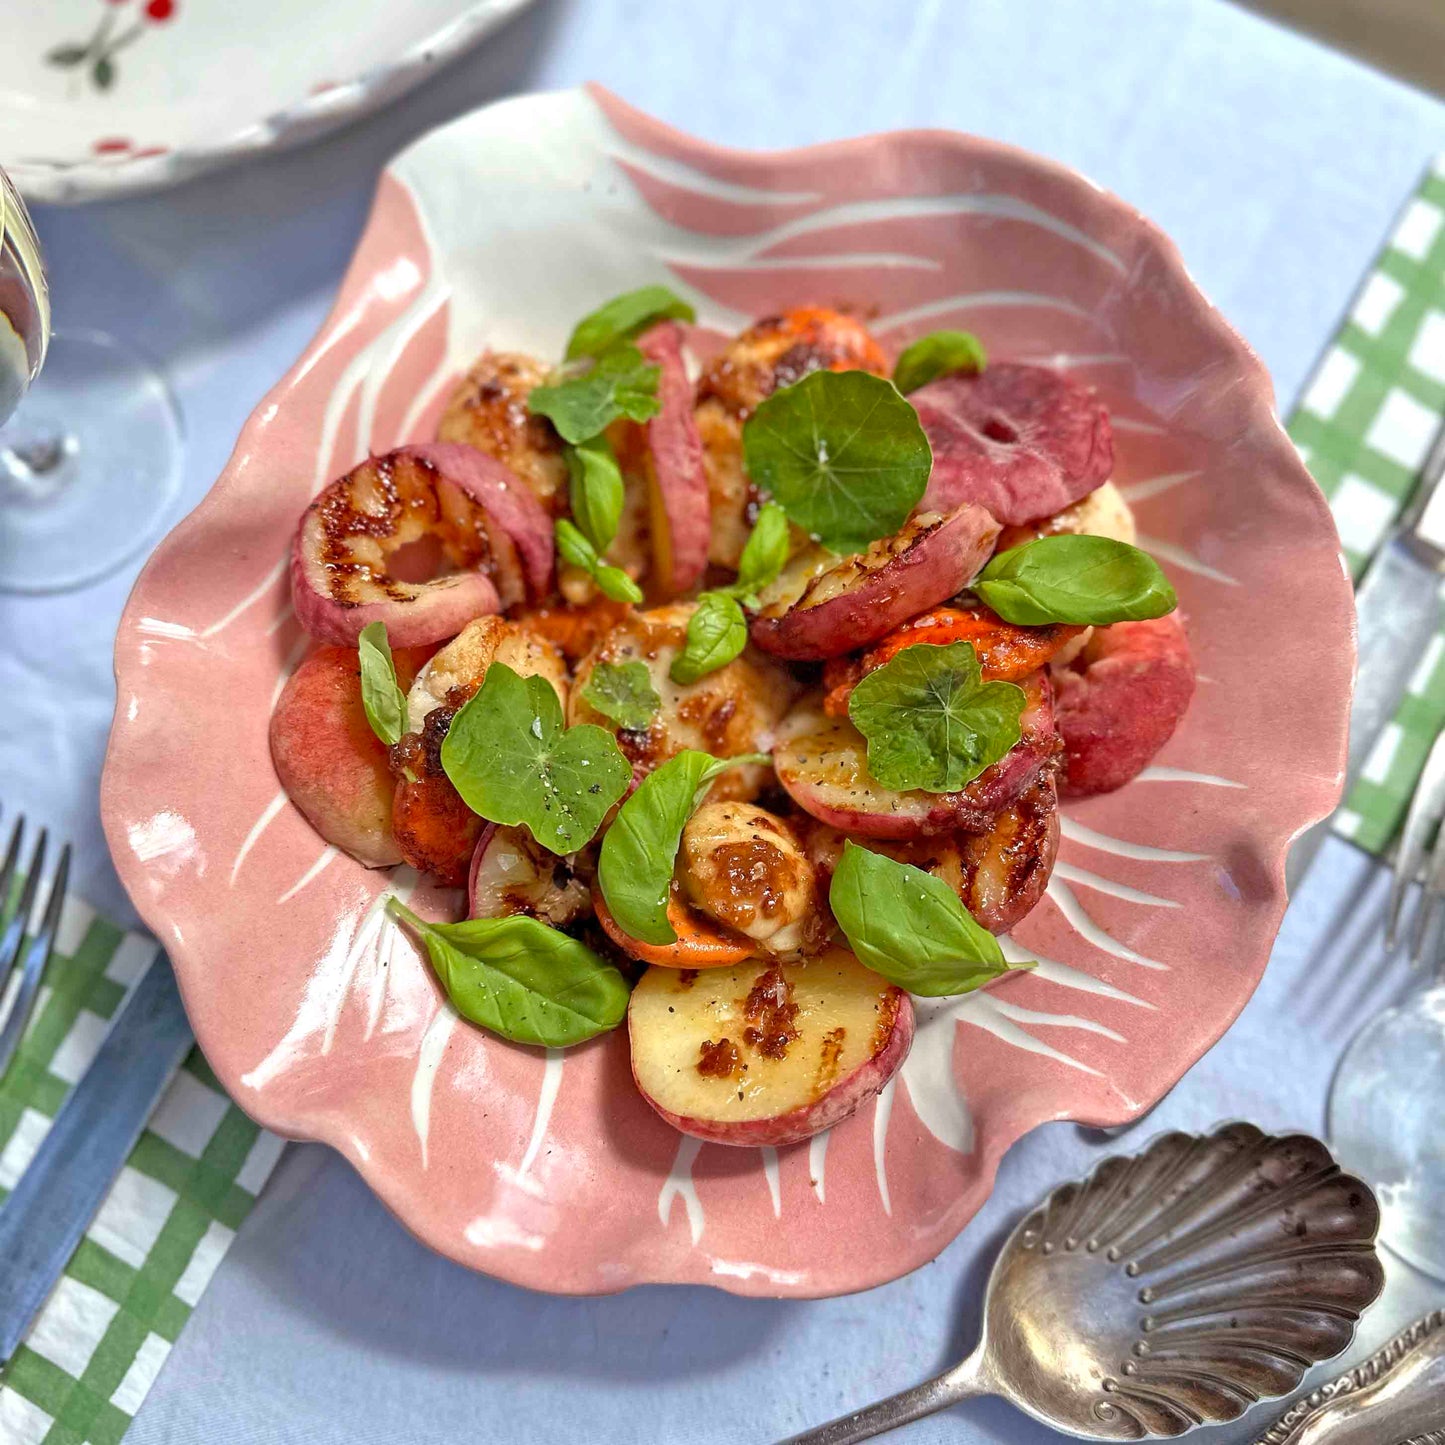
x,y
108,1329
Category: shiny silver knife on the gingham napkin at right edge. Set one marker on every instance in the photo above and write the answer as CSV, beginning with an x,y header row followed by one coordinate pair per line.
x,y
1398,606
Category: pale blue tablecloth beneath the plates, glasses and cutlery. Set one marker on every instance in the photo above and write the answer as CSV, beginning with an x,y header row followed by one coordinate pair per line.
x,y
1275,164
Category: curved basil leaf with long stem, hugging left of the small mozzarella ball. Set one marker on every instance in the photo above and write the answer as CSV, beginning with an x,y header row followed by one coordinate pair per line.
x,y
641,847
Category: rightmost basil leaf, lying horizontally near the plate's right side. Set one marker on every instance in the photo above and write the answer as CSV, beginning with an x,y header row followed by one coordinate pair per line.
x,y
1073,579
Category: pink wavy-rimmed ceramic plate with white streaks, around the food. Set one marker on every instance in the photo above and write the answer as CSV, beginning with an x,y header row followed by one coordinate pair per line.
x,y
551,1171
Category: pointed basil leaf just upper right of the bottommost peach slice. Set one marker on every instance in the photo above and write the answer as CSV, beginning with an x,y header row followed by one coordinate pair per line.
x,y
911,927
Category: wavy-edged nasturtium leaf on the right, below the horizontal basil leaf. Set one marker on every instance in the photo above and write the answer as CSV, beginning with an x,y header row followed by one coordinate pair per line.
x,y
931,720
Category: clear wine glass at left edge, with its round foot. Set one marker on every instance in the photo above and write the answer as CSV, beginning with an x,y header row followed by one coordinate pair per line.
x,y
90,447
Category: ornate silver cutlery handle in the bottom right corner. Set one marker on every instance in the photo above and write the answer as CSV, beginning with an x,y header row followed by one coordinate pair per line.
x,y
1395,1398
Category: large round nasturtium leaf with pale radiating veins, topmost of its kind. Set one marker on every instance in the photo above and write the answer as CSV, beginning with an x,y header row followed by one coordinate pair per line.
x,y
845,456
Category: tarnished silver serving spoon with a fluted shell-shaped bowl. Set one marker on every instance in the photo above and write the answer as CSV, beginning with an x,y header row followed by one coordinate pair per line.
x,y
1170,1290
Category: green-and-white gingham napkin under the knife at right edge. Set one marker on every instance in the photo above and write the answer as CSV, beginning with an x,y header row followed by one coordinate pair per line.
x,y
1363,428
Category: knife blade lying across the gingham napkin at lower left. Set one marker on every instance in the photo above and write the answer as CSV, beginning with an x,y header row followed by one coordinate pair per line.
x,y
92,1138
